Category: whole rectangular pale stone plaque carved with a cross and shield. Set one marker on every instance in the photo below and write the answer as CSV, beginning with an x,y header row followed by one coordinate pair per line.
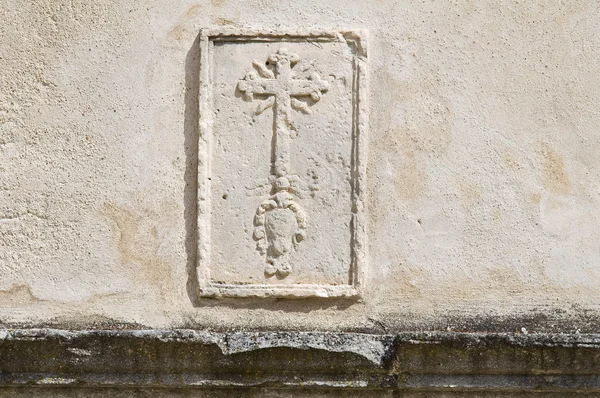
x,y
282,157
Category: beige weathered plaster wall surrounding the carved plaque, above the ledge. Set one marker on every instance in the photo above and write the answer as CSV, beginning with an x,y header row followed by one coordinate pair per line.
x,y
483,172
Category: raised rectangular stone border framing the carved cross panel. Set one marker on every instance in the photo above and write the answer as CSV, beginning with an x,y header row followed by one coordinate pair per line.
x,y
356,39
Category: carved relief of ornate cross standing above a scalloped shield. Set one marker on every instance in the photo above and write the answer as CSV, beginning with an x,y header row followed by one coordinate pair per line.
x,y
280,221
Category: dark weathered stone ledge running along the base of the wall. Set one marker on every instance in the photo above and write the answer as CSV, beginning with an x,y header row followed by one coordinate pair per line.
x,y
420,361
